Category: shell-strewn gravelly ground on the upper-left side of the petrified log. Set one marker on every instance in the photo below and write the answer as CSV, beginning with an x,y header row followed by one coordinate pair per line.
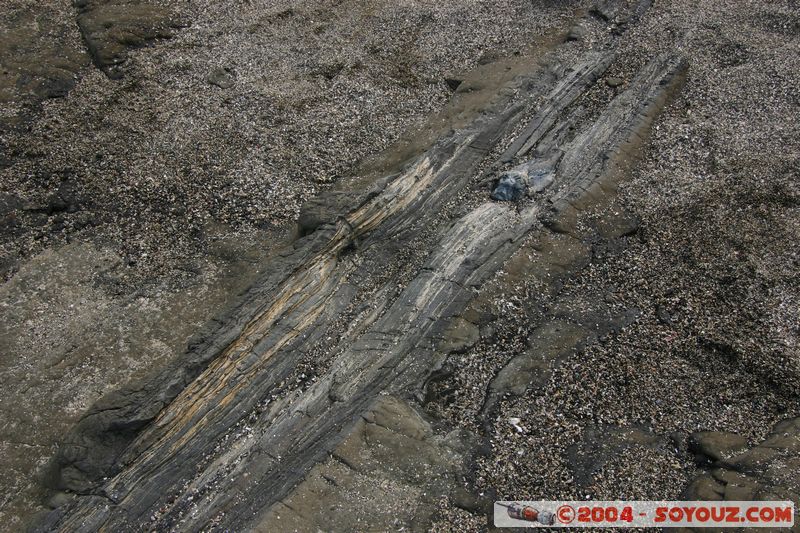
x,y
168,153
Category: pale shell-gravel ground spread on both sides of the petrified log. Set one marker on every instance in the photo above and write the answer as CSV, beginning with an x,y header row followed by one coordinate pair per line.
x,y
182,187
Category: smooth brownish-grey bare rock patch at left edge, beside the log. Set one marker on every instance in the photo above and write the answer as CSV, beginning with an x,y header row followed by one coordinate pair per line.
x,y
89,340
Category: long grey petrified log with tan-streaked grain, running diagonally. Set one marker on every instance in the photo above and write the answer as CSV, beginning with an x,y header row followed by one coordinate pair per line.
x,y
357,308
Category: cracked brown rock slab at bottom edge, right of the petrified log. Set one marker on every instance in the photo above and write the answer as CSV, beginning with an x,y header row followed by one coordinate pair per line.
x,y
390,473
